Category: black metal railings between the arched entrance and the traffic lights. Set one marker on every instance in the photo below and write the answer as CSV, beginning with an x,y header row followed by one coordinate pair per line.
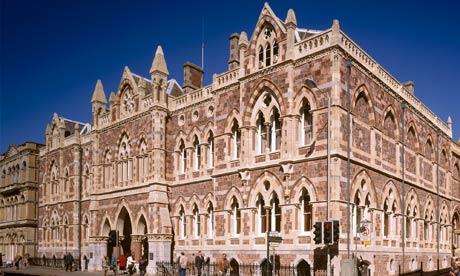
x,y
172,269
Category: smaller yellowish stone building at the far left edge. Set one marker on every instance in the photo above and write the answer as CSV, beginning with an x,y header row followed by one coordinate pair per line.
x,y
18,201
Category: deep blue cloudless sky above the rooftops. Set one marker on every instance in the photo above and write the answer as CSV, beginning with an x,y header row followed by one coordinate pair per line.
x,y
54,51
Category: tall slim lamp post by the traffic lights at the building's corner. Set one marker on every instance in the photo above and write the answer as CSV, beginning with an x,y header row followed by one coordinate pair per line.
x,y
312,84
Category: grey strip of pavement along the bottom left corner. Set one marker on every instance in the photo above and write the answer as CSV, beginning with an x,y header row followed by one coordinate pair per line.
x,y
47,271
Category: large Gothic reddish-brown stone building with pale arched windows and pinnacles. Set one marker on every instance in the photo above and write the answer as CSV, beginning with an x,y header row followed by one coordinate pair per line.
x,y
185,168
